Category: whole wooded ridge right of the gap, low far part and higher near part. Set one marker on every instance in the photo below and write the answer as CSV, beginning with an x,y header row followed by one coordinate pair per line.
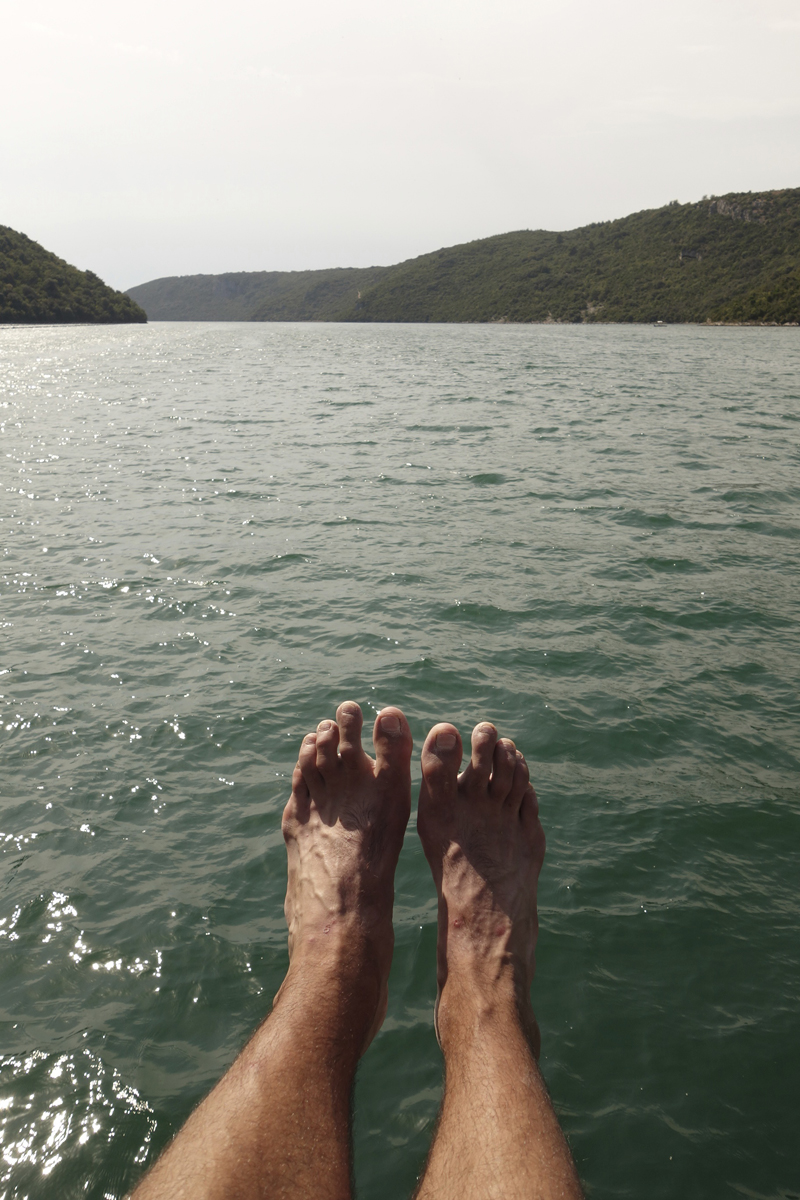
x,y
732,260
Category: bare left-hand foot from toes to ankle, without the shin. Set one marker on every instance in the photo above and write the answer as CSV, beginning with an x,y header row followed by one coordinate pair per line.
x,y
344,829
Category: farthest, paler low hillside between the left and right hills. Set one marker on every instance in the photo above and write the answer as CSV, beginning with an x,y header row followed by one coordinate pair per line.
x,y
257,296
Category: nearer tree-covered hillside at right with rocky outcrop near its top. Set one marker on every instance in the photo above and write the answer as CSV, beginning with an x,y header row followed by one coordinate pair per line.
x,y
733,259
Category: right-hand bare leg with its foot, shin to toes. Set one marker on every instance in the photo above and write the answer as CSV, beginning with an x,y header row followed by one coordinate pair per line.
x,y
498,1136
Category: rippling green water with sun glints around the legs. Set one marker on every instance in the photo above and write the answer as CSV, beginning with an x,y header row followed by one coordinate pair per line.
x,y
213,535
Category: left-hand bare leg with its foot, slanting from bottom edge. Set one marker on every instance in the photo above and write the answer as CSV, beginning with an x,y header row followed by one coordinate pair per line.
x,y
279,1124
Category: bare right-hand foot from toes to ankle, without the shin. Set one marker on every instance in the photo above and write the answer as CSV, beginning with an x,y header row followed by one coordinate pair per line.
x,y
484,842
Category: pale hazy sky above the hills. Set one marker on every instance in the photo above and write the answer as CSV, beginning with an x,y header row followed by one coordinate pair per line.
x,y
164,137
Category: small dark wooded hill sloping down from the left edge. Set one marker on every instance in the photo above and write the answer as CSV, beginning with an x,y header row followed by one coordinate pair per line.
x,y
39,289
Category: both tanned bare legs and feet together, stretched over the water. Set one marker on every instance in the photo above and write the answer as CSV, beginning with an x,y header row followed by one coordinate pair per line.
x,y
278,1125
